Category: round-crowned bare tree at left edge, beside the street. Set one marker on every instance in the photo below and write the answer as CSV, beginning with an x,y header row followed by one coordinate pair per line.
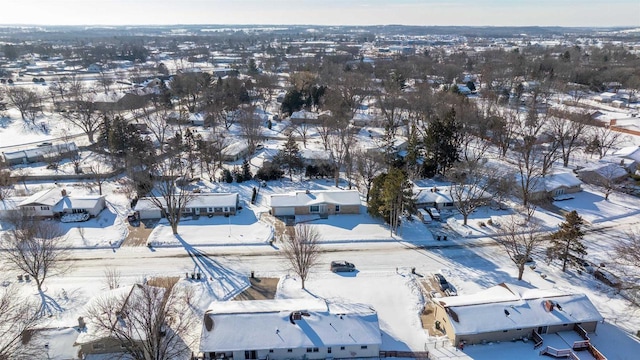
x,y
34,246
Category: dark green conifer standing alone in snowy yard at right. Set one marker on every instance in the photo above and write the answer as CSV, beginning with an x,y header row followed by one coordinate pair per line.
x,y
566,243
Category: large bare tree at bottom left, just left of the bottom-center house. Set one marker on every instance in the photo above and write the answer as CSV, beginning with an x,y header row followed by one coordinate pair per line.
x,y
155,324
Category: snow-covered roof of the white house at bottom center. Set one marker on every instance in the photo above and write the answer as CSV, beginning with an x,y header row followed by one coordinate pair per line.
x,y
269,324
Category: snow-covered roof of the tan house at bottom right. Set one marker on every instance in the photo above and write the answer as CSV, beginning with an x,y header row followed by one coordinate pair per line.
x,y
508,306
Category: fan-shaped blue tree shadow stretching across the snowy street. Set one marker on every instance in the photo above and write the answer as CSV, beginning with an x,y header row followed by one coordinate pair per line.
x,y
215,275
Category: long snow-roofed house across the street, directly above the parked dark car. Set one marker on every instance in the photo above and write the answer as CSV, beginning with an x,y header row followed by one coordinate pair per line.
x,y
322,202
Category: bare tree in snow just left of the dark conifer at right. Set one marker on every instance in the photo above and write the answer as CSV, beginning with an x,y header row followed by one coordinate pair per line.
x,y
520,239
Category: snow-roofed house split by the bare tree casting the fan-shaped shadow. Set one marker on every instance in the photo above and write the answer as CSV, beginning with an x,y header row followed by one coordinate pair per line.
x,y
199,204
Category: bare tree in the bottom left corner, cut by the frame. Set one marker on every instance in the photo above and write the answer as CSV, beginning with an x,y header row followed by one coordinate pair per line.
x,y
18,317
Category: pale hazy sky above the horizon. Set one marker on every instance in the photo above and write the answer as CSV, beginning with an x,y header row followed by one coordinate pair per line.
x,y
323,12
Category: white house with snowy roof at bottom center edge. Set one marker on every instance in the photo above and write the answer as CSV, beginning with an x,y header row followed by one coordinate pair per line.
x,y
289,329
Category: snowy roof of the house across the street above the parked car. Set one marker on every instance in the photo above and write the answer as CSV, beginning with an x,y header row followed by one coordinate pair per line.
x,y
313,197
